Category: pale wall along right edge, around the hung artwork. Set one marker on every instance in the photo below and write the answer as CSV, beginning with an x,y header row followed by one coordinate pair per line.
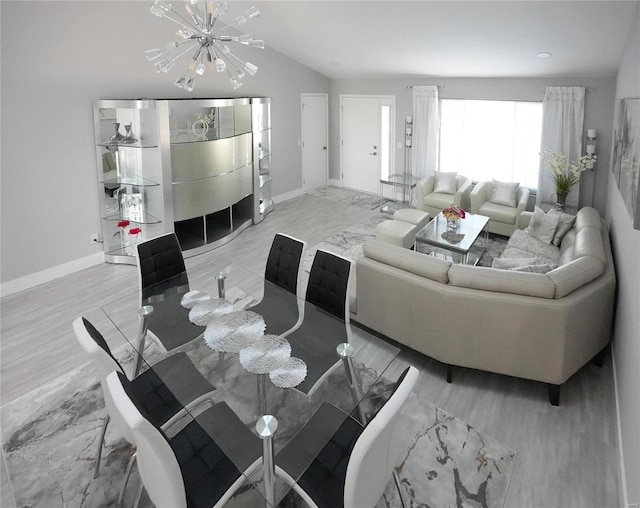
x,y
626,249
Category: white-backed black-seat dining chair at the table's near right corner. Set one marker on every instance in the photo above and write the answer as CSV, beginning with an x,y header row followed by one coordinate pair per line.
x,y
356,463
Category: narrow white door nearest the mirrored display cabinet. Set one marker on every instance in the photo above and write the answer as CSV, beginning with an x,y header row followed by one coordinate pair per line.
x,y
314,140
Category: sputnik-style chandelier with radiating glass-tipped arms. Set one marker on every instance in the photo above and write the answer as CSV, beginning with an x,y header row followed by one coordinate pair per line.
x,y
199,36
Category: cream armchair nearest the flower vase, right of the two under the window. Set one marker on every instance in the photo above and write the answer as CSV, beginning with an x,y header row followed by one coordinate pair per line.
x,y
503,218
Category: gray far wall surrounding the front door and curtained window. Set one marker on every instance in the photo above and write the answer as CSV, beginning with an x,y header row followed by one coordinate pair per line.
x,y
599,110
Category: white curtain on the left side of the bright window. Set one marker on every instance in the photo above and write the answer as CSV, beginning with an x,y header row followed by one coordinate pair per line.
x,y
426,131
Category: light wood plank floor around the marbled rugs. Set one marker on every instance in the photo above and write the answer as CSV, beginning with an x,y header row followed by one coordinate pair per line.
x,y
566,456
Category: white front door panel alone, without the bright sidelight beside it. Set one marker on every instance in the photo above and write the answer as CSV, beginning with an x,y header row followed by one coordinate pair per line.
x,y
361,143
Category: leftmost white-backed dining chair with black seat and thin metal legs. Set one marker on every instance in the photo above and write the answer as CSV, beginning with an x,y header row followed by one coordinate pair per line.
x,y
164,390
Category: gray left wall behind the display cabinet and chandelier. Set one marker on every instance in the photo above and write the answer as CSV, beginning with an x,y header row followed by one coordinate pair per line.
x,y
75,53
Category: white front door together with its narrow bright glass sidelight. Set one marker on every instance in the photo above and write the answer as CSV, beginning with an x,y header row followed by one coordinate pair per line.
x,y
365,141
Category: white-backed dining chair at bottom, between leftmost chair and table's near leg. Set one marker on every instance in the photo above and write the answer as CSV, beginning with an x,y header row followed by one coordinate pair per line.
x,y
191,468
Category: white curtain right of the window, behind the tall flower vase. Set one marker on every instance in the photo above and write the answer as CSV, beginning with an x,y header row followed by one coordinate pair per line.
x,y
562,121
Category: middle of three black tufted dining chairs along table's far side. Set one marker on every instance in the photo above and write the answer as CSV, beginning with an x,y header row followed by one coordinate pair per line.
x,y
281,306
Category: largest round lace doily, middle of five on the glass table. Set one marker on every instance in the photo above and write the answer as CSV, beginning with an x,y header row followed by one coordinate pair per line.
x,y
235,331
